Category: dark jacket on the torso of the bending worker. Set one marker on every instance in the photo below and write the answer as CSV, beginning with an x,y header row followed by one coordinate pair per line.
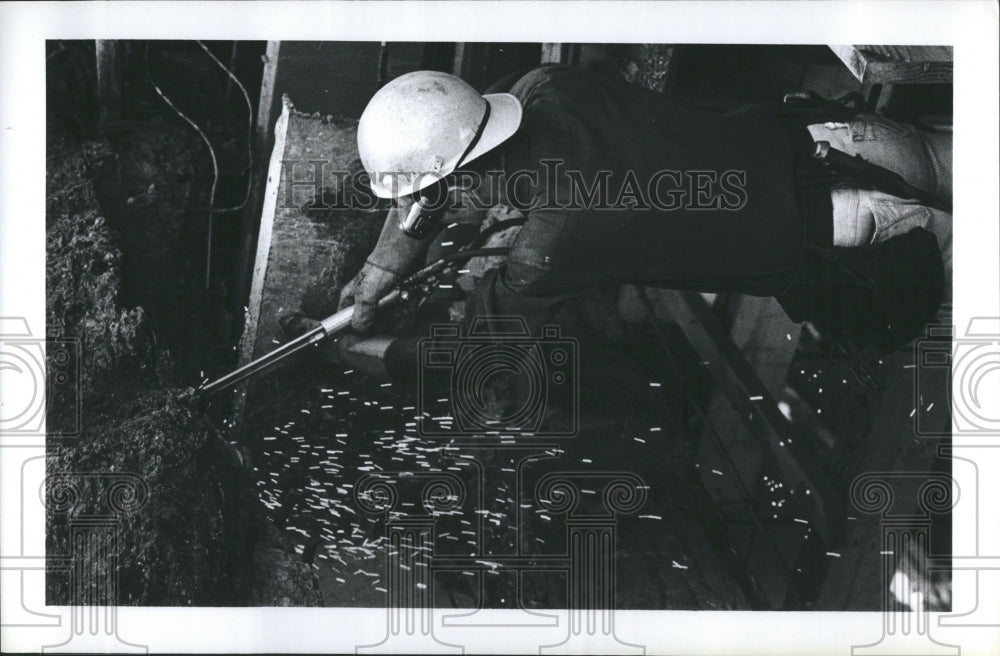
x,y
713,201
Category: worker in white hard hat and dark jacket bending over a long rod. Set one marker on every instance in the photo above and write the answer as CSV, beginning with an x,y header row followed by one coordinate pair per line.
x,y
619,185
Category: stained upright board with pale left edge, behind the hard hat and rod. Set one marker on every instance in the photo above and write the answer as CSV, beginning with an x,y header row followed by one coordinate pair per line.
x,y
304,256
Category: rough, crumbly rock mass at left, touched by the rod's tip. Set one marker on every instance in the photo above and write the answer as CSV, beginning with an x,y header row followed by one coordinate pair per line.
x,y
188,528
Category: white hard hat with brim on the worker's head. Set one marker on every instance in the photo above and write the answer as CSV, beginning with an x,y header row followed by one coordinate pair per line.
x,y
423,125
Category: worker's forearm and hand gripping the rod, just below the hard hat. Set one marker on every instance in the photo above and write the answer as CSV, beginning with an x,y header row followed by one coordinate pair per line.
x,y
394,256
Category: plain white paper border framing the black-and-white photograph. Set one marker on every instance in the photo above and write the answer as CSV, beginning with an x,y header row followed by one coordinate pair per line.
x,y
971,27
